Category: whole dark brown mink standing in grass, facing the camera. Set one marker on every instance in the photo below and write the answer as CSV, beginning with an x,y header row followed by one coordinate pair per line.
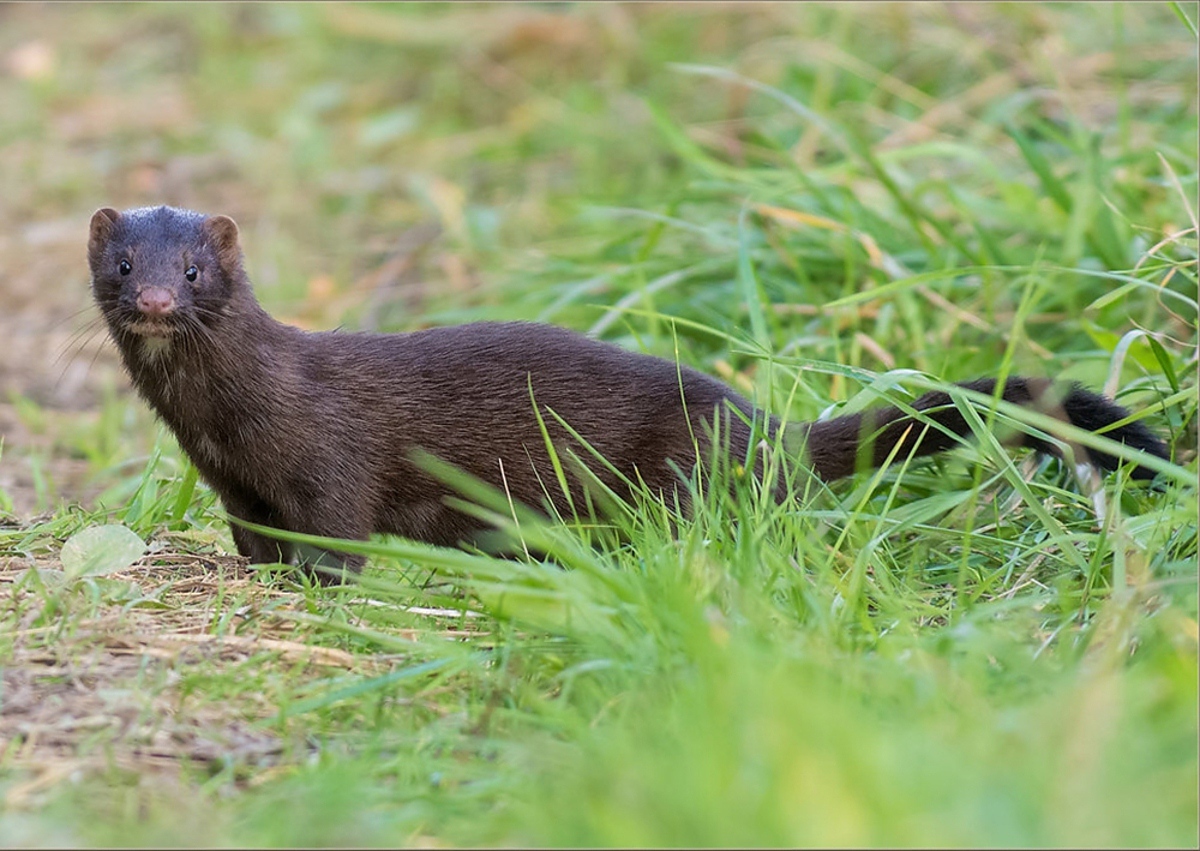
x,y
316,433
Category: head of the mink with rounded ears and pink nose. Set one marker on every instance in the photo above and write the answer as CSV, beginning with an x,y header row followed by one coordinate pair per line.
x,y
158,271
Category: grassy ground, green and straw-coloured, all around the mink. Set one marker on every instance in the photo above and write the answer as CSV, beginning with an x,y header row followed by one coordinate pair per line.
x,y
811,202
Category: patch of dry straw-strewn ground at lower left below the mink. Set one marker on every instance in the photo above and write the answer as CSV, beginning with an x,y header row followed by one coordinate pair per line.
x,y
116,690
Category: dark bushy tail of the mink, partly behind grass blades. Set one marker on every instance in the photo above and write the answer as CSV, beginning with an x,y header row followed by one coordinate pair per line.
x,y
833,447
